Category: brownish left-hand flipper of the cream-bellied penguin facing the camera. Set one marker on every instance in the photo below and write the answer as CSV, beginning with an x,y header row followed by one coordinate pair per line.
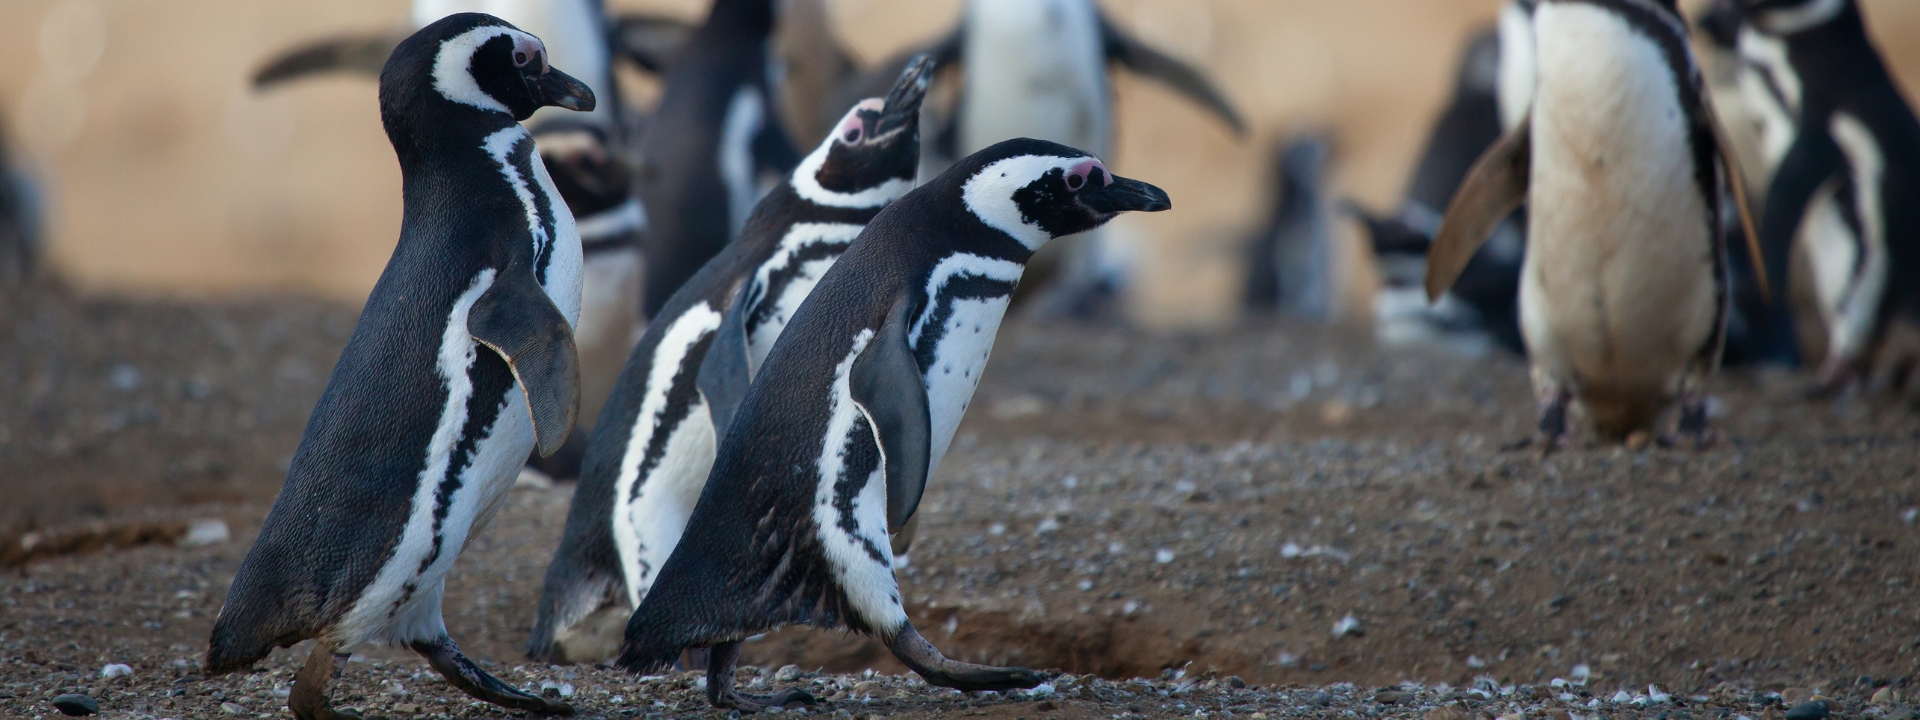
x,y
1495,189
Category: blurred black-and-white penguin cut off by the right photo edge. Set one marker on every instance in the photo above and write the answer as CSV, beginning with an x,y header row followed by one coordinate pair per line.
x,y
1848,185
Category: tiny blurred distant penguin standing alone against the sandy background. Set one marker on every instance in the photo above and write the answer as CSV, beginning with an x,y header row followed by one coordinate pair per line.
x,y
1291,258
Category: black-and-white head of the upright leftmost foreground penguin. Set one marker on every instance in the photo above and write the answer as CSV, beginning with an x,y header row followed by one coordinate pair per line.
x,y
475,64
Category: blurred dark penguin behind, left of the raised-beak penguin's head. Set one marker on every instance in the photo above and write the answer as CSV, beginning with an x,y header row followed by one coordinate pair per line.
x,y
713,147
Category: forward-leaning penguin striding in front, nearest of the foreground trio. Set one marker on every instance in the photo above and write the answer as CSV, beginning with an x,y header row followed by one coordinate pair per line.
x,y
852,414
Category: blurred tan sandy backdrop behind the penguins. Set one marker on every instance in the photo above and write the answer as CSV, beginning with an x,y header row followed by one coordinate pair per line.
x,y
166,176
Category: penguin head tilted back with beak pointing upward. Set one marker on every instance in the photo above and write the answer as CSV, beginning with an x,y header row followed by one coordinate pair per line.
x,y
871,158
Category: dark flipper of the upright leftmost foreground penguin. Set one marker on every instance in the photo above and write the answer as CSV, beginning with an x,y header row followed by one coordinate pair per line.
x,y
519,322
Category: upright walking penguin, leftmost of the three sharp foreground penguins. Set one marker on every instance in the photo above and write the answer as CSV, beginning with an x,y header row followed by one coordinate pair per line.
x,y
460,368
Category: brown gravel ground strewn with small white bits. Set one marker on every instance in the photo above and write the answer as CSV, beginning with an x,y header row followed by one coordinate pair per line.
x,y
1284,506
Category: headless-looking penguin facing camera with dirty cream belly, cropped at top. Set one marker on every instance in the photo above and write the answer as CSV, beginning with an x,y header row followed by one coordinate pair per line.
x,y
1625,285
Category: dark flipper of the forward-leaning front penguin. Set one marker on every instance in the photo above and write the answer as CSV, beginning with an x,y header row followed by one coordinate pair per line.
x,y
888,387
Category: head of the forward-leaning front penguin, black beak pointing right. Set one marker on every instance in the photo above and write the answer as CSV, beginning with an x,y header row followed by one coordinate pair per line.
x,y
1040,191
